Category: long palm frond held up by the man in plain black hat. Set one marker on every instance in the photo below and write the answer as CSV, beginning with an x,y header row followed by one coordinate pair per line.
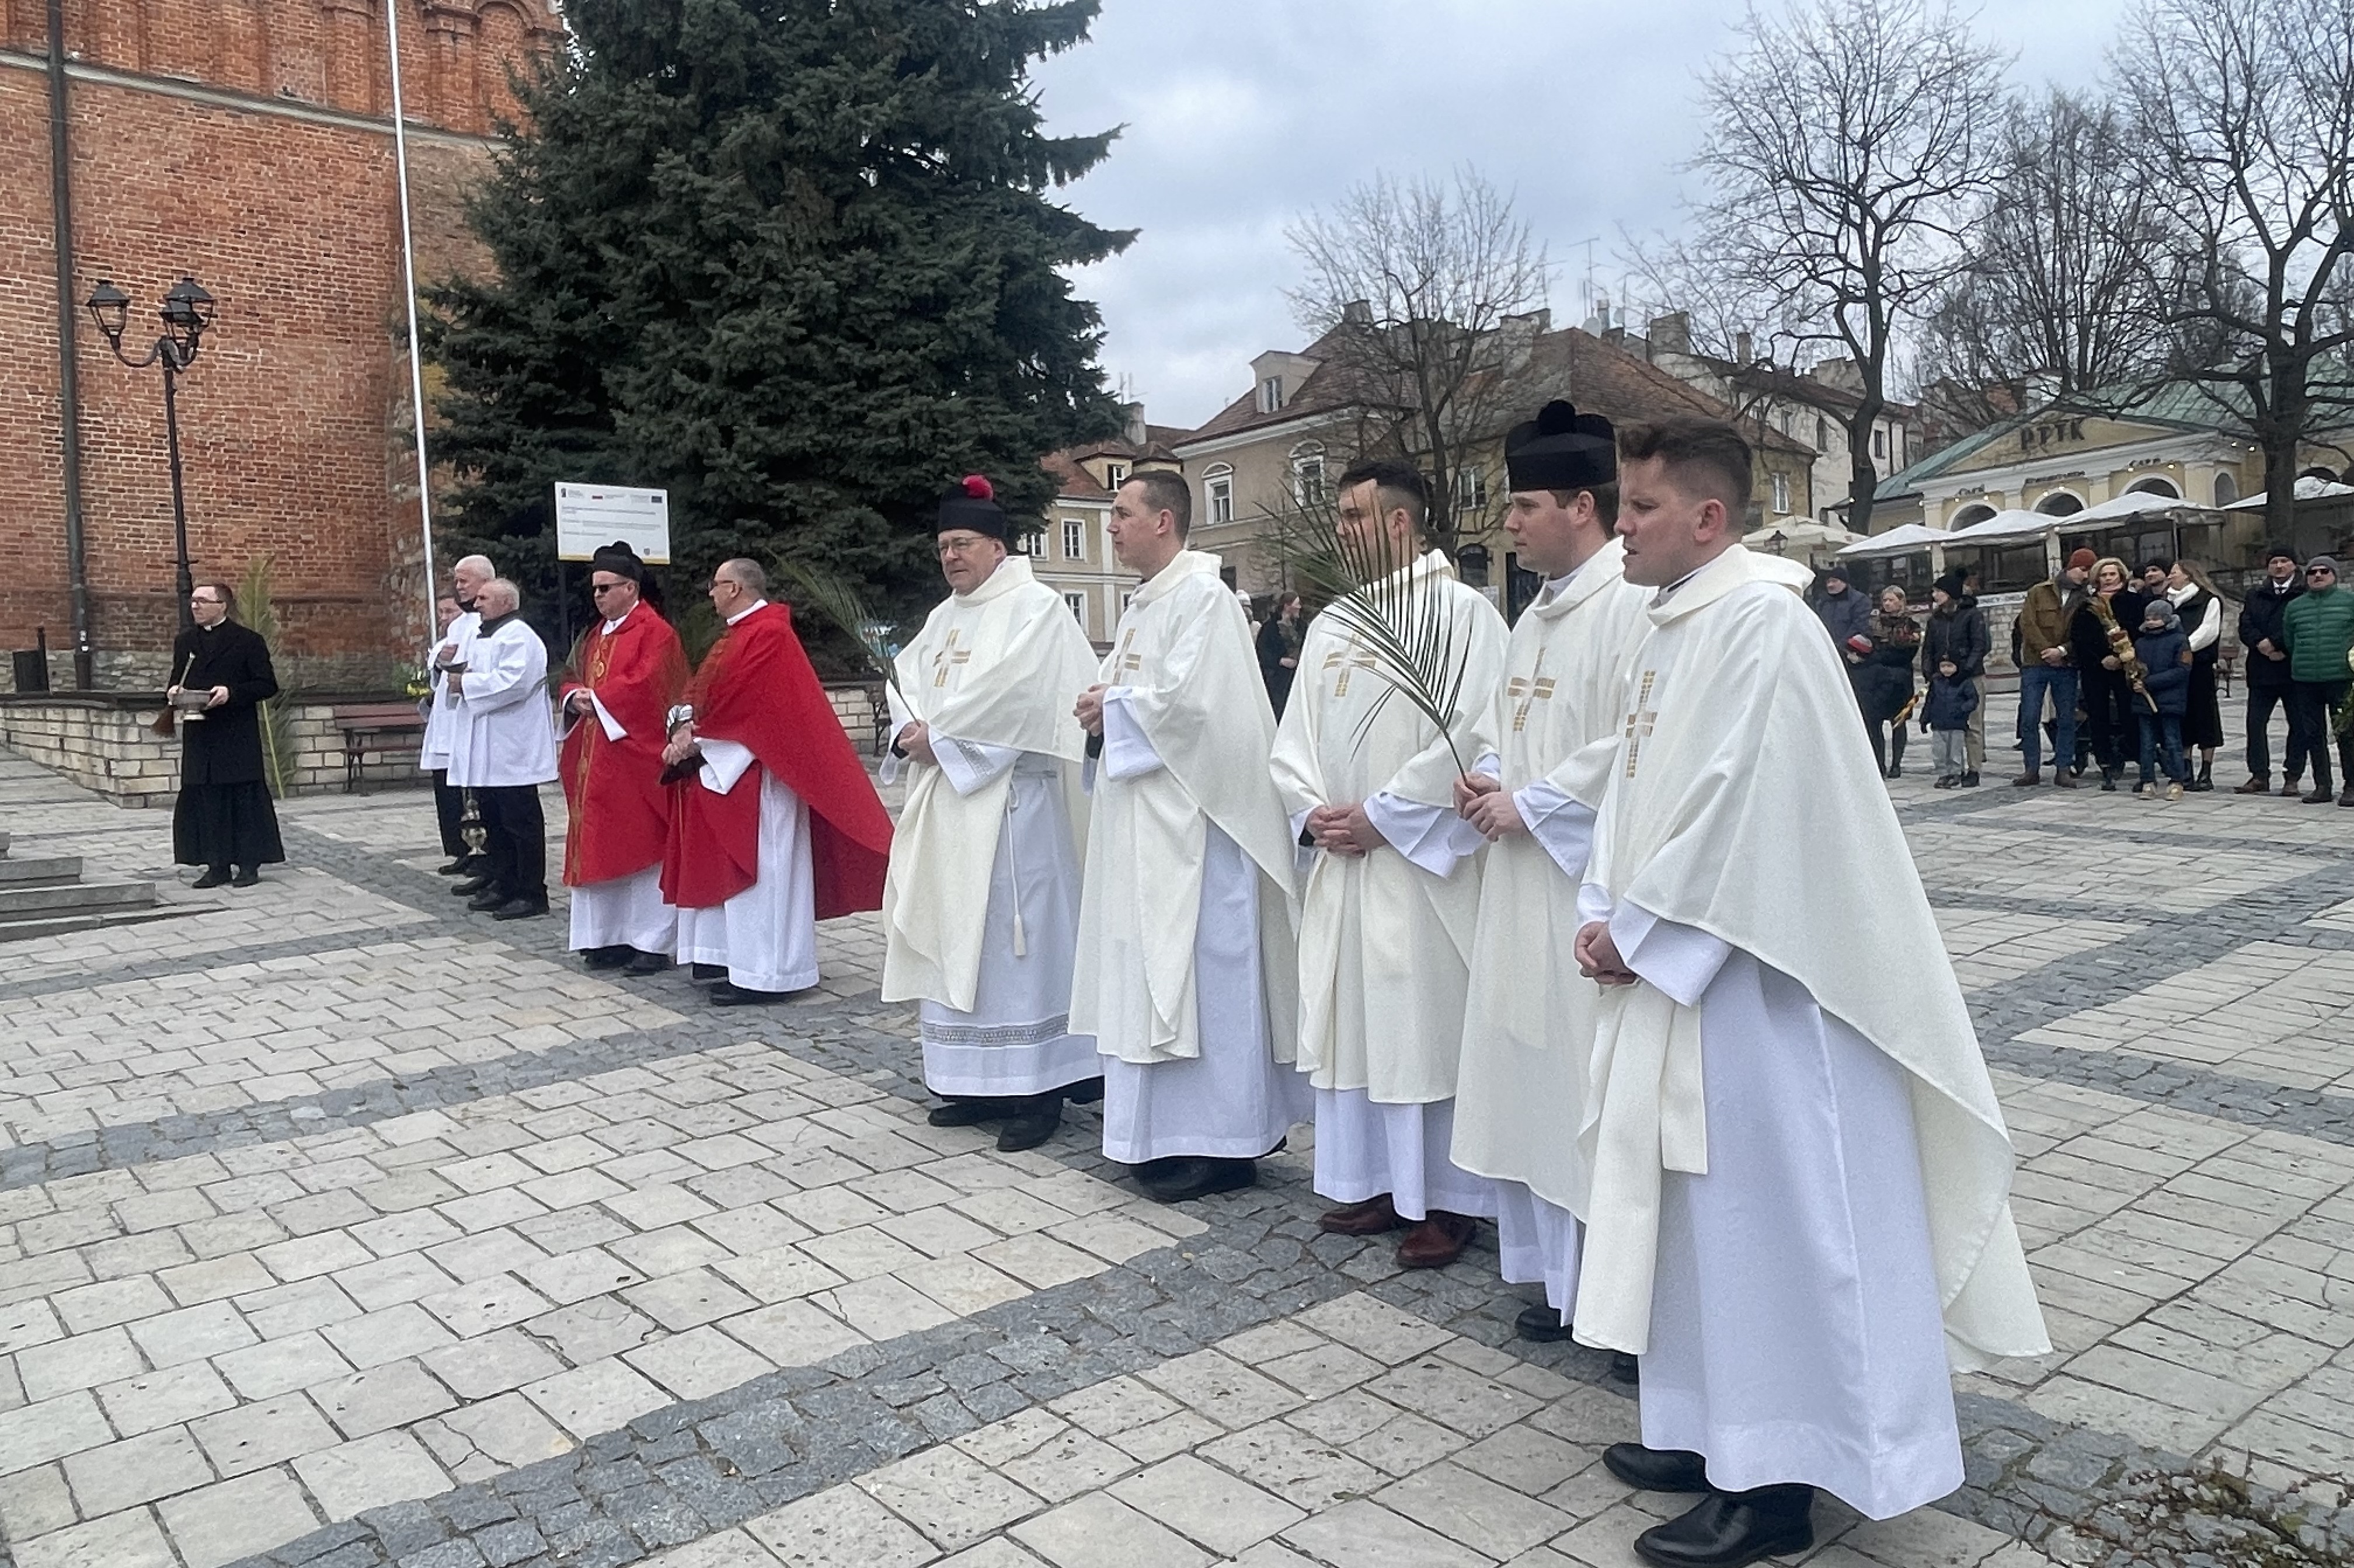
x,y
1399,618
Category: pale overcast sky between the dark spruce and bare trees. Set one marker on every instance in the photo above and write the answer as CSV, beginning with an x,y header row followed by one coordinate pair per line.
x,y
1246,112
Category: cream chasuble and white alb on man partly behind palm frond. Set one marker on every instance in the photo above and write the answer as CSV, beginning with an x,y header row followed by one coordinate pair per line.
x,y
1385,938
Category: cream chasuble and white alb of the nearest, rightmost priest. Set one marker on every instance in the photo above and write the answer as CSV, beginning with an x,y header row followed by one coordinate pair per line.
x,y
1795,1176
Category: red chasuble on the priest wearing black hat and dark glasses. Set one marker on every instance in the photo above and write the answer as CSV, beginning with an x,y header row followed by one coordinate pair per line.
x,y
620,806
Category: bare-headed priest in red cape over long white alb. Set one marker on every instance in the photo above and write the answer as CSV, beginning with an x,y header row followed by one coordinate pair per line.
x,y
776,823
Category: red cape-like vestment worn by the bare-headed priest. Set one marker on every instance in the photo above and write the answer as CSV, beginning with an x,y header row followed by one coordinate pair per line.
x,y
757,689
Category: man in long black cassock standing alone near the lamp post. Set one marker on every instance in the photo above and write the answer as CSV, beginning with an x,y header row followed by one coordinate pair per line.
x,y
225,813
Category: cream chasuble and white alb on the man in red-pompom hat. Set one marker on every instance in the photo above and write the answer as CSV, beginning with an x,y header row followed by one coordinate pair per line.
x,y
995,828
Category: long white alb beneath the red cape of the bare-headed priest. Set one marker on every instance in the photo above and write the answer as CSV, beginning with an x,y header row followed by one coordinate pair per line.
x,y
769,934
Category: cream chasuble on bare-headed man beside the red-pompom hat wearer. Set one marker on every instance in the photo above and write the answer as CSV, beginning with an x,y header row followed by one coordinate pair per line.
x,y
1190,682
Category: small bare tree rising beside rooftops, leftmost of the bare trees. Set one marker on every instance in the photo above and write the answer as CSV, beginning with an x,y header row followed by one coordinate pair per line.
x,y
1414,286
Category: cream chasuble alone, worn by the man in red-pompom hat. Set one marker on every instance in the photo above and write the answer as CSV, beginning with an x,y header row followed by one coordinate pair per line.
x,y
995,675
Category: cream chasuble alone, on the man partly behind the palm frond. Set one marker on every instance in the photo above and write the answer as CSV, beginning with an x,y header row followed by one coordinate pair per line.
x,y
1385,945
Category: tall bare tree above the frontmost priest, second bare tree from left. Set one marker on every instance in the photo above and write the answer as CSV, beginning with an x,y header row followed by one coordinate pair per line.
x,y
1849,145
